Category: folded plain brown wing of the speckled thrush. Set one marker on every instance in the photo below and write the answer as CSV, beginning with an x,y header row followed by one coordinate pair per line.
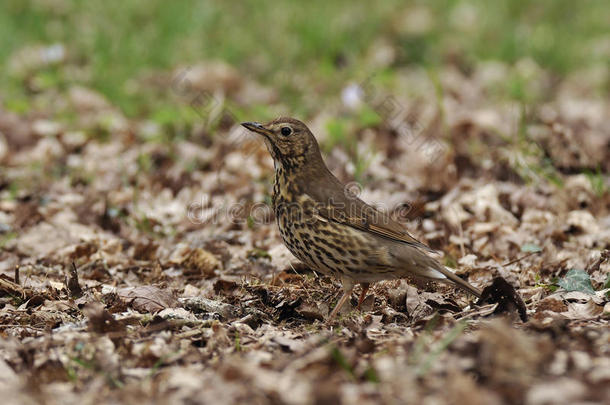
x,y
334,204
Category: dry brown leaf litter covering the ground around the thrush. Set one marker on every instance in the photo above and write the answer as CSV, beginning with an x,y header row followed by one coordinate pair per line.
x,y
124,275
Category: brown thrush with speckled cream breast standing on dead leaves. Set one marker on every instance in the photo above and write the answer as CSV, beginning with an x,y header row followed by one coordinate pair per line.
x,y
329,228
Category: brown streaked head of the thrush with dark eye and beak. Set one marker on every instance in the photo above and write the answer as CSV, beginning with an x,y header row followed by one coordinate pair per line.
x,y
289,141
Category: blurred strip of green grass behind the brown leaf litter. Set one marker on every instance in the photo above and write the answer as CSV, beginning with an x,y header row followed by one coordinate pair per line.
x,y
294,48
